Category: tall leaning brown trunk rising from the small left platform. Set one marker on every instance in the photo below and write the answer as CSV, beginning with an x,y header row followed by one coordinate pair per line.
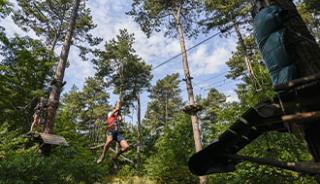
x,y
57,83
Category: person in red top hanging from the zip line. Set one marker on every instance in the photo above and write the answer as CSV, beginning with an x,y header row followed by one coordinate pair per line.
x,y
113,122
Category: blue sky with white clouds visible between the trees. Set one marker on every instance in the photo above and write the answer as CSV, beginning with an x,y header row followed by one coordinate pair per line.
x,y
206,61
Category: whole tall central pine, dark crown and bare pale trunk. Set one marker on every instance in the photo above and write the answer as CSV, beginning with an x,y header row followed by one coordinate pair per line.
x,y
178,18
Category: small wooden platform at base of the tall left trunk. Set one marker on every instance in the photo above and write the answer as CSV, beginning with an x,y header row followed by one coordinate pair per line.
x,y
45,138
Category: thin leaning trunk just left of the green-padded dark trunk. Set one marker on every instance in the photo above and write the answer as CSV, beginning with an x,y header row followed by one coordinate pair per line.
x,y
245,54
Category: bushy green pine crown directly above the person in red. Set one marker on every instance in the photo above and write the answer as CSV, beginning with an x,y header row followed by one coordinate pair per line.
x,y
120,65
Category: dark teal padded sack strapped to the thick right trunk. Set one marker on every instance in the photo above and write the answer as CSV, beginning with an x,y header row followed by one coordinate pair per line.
x,y
270,34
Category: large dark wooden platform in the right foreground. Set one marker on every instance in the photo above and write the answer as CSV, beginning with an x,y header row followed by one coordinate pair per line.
x,y
298,102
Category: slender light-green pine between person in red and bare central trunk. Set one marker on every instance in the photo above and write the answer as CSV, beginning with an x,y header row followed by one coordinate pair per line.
x,y
164,104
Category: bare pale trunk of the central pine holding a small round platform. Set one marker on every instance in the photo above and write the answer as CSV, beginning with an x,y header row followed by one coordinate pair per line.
x,y
194,118
